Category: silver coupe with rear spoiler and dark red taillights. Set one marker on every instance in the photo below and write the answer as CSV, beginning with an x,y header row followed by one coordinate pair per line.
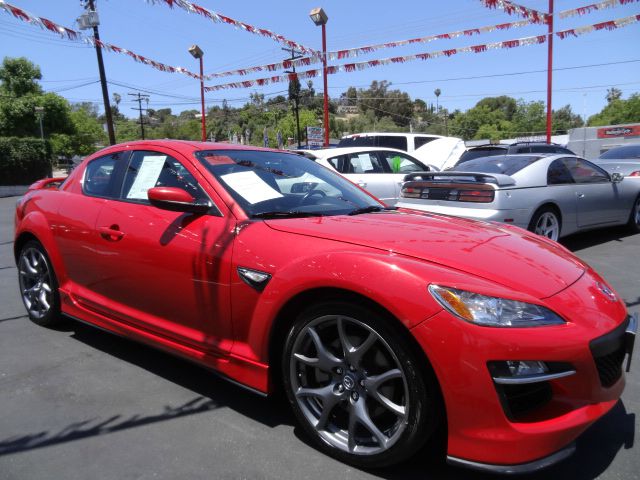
x,y
551,195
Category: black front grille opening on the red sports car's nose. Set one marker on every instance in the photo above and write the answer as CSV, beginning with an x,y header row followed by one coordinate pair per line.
x,y
608,354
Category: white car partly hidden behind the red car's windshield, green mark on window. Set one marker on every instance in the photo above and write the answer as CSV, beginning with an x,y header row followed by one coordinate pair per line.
x,y
380,171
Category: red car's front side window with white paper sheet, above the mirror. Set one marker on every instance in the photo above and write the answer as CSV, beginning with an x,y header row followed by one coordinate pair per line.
x,y
153,169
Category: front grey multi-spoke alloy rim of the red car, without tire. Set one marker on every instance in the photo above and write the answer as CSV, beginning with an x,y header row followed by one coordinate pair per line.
x,y
349,385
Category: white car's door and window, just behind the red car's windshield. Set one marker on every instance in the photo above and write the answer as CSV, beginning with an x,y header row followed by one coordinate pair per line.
x,y
365,169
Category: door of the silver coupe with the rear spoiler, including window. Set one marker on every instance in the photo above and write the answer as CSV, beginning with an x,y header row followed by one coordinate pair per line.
x,y
598,198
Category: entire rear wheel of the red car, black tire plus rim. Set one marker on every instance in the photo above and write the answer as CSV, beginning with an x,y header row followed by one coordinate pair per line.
x,y
38,285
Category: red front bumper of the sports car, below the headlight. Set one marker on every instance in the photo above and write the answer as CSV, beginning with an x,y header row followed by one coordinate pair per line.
x,y
482,433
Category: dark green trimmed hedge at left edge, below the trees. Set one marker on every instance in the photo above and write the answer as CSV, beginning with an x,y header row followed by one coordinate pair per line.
x,y
23,160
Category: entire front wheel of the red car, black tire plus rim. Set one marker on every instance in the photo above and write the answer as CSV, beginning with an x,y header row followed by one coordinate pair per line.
x,y
404,408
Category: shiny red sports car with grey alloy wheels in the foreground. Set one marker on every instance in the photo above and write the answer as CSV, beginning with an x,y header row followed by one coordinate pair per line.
x,y
384,327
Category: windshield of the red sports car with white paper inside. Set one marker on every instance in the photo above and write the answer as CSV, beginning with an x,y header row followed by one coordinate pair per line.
x,y
276,184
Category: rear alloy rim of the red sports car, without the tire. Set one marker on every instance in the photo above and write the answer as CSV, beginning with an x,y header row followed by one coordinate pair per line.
x,y
35,282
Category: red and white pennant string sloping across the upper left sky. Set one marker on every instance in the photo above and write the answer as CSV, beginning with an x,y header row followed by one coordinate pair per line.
x,y
78,36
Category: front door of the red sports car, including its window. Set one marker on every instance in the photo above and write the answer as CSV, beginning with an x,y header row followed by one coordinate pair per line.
x,y
163,271
